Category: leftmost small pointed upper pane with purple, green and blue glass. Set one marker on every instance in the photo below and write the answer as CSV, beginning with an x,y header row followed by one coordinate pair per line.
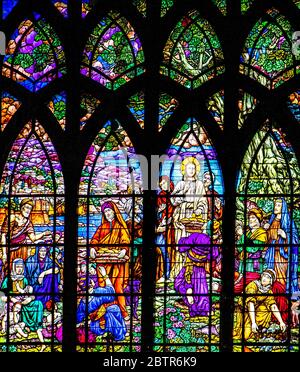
x,y
34,55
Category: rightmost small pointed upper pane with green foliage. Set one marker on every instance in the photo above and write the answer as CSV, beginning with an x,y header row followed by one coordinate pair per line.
x,y
268,53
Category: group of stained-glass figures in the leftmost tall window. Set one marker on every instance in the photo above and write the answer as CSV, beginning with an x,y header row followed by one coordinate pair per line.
x,y
31,281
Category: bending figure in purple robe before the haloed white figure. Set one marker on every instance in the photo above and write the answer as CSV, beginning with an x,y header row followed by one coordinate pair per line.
x,y
191,281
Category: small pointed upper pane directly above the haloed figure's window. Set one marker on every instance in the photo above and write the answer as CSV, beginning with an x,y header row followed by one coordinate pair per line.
x,y
193,53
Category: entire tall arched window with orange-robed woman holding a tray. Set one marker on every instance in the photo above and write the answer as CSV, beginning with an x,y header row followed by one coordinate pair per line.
x,y
110,237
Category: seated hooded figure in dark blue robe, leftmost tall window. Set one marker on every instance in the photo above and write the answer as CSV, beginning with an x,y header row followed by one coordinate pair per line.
x,y
42,276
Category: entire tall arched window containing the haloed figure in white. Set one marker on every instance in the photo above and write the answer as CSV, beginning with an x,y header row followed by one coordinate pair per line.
x,y
188,244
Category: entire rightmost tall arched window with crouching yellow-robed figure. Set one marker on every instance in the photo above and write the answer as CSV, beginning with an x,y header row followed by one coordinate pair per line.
x,y
267,239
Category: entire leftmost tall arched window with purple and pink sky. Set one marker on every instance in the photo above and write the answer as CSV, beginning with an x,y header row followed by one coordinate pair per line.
x,y
32,236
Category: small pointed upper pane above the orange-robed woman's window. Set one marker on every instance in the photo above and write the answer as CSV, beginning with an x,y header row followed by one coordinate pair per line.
x,y
113,55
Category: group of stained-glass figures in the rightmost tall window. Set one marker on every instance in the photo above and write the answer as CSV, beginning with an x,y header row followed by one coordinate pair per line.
x,y
267,271
